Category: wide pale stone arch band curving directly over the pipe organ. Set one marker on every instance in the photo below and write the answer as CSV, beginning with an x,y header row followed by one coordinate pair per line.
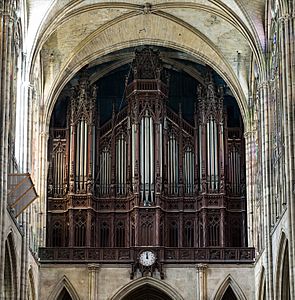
x,y
103,41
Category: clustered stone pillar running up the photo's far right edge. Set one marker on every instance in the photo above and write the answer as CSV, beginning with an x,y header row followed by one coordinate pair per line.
x,y
287,43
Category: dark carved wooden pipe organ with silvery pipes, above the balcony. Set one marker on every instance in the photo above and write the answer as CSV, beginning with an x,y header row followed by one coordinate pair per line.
x,y
147,176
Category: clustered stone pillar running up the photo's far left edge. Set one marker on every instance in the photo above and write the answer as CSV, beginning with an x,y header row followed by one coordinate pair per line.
x,y
8,20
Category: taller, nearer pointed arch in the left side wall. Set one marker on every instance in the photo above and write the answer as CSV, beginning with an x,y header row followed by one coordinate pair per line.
x,y
10,269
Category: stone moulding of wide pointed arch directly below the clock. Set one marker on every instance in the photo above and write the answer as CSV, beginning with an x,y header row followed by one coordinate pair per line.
x,y
150,281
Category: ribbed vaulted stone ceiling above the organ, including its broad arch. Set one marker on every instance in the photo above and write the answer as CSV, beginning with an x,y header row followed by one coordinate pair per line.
x,y
225,34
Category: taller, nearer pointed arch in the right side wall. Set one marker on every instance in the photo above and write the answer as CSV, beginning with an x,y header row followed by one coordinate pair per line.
x,y
282,269
